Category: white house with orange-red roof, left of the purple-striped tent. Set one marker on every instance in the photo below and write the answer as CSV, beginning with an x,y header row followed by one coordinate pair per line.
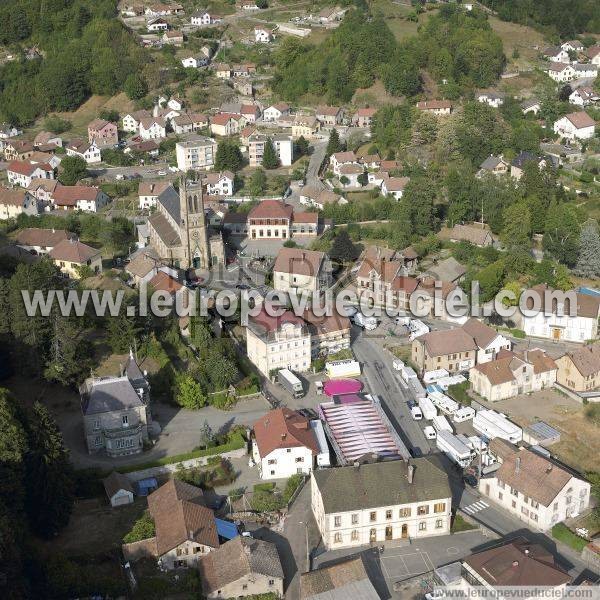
x,y
283,444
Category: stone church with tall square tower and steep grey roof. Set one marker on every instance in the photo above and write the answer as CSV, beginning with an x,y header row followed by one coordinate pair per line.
x,y
178,231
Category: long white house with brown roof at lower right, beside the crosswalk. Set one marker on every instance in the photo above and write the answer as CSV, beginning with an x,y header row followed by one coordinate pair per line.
x,y
533,488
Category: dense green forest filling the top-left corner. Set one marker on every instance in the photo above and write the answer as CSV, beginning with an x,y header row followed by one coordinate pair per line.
x,y
83,50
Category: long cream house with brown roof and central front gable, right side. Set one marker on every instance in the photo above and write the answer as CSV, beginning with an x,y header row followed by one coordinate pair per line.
x,y
512,374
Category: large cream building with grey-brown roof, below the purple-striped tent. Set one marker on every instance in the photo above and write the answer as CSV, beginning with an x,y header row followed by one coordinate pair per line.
x,y
378,502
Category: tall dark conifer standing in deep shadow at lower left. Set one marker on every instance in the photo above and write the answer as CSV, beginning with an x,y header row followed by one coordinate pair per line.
x,y
50,482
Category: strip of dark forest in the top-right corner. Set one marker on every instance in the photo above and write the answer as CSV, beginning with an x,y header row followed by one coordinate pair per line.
x,y
565,17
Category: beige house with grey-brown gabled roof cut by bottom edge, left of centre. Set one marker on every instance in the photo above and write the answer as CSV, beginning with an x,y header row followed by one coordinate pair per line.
x,y
241,567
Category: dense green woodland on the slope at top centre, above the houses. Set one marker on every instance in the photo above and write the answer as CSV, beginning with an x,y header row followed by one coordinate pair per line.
x,y
456,46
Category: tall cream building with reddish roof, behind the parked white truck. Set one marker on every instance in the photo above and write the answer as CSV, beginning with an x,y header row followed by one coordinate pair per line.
x,y
274,343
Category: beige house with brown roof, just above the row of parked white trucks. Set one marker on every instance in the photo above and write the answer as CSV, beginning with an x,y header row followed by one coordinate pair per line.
x,y
452,349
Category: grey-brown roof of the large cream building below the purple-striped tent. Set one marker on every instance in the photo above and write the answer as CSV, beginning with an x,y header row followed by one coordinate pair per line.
x,y
380,484
